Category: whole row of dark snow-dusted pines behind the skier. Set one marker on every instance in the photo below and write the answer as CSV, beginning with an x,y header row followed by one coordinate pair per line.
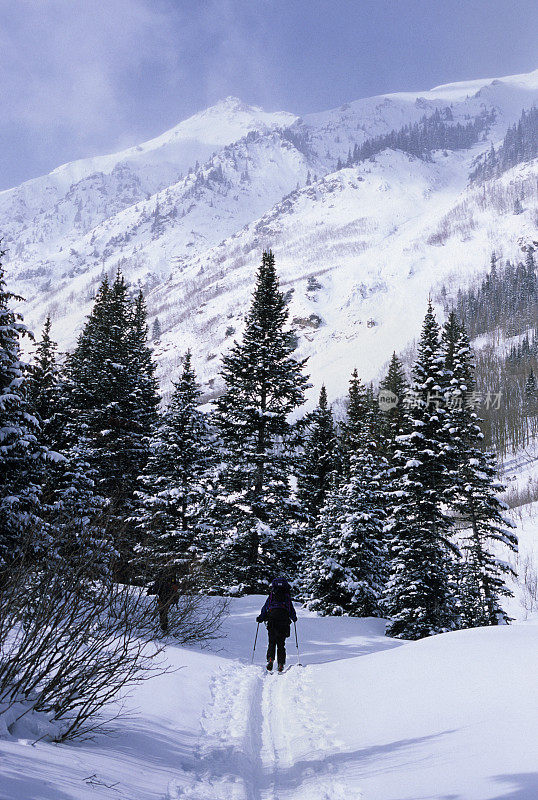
x,y
391,512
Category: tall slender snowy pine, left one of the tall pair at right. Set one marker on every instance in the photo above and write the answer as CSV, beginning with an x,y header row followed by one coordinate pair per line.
x,y
420,592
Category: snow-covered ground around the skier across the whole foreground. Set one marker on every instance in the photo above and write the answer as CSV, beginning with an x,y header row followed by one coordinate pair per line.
x,y
370,718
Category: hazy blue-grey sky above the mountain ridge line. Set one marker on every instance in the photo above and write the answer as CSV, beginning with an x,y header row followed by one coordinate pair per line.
x,y
82,77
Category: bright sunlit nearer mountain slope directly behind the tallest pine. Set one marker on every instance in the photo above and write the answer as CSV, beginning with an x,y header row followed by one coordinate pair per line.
x,y
361,249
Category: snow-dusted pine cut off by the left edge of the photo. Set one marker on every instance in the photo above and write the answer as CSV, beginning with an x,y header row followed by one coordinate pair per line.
x,y
21,455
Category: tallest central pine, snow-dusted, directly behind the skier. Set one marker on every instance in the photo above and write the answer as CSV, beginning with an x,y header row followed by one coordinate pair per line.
x,y
264,383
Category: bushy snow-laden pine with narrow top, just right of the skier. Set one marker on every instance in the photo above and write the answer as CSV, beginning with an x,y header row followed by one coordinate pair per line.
x,y
345,571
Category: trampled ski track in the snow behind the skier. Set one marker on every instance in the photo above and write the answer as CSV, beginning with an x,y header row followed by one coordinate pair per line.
x,y
263,738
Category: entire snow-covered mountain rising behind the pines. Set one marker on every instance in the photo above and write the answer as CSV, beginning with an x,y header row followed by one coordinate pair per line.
x,y
186,216
